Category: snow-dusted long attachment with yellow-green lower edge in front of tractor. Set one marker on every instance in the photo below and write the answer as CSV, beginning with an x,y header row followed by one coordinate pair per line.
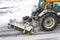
x,y
21,27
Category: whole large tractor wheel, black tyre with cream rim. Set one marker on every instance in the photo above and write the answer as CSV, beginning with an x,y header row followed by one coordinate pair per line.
x,y
48,22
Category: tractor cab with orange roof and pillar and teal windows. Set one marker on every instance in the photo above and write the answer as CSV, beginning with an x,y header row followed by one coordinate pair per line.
x,y
50,4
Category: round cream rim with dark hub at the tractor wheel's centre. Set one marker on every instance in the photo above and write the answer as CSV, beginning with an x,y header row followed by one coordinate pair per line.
x,y
49,22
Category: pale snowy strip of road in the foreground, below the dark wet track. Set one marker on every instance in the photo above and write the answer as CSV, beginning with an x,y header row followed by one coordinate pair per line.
x,y
52,36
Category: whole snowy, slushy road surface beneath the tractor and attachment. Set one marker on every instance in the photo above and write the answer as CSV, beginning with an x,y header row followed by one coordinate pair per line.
x,y
16,35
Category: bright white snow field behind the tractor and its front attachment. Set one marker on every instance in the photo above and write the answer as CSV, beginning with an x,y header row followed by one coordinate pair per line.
x,y
16,10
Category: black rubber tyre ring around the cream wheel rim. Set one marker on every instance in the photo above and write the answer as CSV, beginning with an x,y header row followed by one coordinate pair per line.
x,y
41,21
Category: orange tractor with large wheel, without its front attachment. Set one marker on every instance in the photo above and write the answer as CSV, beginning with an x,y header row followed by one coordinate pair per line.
x,y
48,13
